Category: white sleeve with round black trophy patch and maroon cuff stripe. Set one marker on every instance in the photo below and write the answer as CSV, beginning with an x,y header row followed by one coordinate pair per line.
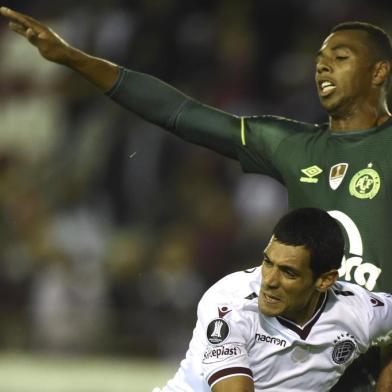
x,y
225,343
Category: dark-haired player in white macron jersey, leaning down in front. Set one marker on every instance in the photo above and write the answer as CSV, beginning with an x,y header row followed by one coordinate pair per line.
x,y
288,325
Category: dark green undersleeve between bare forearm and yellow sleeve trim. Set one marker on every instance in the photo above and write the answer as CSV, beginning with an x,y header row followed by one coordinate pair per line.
x,y
163,105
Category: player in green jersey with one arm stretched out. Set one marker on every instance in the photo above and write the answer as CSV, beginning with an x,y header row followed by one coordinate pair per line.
x,y
344,166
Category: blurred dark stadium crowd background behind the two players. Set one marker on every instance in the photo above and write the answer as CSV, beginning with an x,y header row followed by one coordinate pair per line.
x,y
111,228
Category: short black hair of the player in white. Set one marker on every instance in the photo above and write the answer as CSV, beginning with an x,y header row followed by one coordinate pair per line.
x,y
318,232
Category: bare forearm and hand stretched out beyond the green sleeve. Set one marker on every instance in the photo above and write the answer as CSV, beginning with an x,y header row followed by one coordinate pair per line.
x,y
99,72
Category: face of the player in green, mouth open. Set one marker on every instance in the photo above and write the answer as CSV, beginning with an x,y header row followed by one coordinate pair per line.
x,y
344,71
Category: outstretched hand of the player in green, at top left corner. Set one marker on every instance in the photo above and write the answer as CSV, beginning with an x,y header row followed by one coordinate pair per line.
x,y
50,45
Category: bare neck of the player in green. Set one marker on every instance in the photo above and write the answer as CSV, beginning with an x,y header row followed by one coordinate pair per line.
x,y
359,118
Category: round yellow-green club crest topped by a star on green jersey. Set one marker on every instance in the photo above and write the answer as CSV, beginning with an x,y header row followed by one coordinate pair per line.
x,y
365,184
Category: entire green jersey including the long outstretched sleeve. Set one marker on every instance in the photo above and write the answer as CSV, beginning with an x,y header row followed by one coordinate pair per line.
x,y
348,174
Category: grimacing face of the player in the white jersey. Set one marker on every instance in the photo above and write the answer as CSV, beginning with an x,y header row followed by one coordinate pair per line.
x,y
288,288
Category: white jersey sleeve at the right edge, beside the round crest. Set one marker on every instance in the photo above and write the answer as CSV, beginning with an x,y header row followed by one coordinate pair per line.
x,y
380,320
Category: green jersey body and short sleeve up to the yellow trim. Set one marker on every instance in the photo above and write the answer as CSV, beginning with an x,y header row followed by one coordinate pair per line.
x,y
347,174
